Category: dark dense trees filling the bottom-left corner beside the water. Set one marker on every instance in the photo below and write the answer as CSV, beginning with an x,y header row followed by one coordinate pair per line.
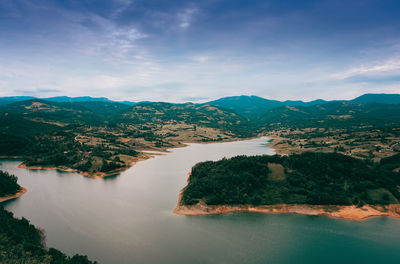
x,y
21,242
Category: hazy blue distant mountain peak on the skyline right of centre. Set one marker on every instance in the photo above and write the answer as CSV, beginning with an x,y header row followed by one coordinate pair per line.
x,y
253,105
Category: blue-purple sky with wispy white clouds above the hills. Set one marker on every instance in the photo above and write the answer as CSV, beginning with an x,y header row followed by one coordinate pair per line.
x,y
180,51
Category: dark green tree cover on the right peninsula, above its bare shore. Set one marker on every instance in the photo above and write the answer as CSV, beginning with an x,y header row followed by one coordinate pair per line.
x,y
307,178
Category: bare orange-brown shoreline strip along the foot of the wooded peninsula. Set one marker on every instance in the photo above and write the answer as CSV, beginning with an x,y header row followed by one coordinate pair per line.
x,y
333,211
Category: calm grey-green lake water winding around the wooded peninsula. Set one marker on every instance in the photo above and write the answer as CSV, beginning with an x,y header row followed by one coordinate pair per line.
x,y
129,219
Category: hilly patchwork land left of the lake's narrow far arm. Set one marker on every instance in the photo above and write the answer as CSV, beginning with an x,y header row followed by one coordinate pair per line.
x,y
74,137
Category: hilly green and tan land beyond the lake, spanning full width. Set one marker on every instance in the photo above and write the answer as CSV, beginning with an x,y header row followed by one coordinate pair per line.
x,y
99,138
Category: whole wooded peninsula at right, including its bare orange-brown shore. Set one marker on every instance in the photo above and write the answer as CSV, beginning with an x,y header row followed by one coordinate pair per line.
x,y
310,183
